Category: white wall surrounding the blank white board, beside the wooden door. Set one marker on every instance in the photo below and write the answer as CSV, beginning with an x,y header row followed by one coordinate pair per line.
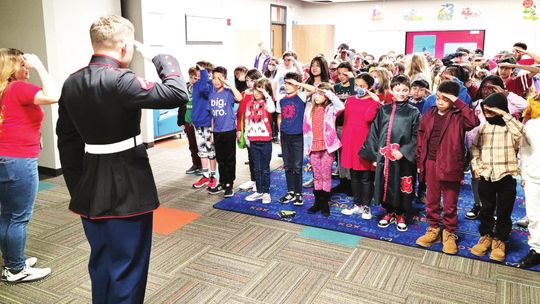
x,y
249,19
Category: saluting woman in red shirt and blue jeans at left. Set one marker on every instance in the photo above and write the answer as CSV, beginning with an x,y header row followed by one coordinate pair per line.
x,y
20,123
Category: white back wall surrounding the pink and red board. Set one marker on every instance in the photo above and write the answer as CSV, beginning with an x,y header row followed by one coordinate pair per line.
x,y
502,20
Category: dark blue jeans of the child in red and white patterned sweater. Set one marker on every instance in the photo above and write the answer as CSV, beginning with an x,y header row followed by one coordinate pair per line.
x,y
261,153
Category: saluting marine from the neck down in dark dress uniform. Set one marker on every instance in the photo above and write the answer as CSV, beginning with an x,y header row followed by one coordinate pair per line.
x,y
107,170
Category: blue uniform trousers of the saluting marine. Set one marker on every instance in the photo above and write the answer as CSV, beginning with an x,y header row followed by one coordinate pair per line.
x,y
119,258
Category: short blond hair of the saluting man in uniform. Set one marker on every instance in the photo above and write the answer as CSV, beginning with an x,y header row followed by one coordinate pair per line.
x,y
107,31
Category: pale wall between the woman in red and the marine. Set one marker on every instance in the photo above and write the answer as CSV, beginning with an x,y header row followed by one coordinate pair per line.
x,y
56,31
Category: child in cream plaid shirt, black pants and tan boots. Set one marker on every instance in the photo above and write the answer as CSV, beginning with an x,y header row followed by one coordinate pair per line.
x,y
494,162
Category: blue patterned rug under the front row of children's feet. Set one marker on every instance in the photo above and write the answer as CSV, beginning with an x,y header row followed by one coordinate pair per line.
x,y
467,231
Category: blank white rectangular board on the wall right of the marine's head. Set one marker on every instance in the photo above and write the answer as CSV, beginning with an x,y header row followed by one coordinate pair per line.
x,y
204,30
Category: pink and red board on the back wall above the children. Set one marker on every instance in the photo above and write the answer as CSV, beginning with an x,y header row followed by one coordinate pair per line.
x,y
440,43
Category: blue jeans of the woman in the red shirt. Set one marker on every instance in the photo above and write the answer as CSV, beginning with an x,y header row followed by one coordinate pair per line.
x,y
18,189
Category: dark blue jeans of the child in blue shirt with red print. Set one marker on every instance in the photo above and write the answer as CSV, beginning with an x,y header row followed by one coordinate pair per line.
x,y
292,150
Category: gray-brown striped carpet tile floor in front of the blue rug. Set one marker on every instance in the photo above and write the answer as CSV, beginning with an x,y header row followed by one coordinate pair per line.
x,y
226,257
